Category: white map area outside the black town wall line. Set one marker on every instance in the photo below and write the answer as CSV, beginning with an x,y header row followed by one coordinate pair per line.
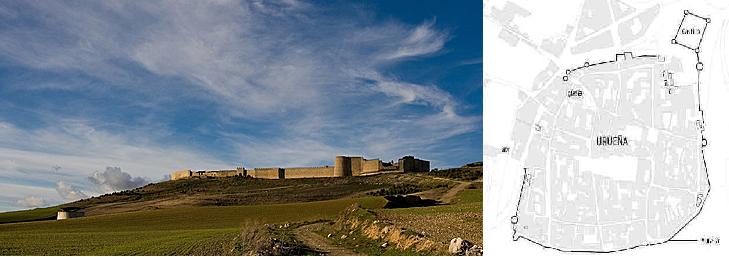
x,y
512,60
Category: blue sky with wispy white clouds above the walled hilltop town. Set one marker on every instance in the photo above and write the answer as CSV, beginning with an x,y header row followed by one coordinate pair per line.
x,y
99,95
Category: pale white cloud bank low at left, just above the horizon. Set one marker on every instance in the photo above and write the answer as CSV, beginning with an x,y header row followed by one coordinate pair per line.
x,y
54,163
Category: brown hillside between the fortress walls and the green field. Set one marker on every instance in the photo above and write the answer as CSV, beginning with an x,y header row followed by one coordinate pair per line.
x,y
232,191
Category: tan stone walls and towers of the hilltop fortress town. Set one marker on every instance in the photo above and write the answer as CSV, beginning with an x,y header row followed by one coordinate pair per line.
x,y
344,166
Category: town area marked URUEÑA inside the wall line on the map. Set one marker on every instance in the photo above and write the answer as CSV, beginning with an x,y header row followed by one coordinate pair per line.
x,y
613,156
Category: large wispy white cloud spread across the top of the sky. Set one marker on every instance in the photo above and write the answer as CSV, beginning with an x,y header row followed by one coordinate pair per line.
x,y
237,51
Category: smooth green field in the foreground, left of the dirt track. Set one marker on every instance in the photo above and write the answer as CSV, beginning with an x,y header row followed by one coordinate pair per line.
x,y
179,231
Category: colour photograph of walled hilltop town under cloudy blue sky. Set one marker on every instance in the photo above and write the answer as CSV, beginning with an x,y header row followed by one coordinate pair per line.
x,y
241,128
